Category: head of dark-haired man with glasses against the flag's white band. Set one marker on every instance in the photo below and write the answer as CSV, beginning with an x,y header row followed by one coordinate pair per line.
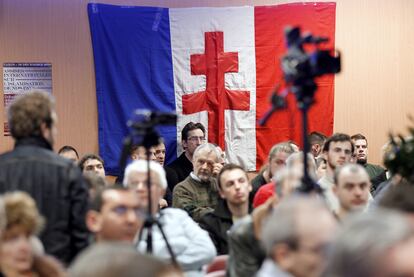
x,y
192,136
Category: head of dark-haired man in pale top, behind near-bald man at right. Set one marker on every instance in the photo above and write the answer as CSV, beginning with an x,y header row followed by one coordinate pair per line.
x,y
338,151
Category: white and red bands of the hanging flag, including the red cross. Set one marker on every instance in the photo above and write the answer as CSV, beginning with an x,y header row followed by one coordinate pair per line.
x,y
226,62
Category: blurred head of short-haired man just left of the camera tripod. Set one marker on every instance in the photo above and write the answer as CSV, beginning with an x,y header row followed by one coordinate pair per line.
x,y
115,215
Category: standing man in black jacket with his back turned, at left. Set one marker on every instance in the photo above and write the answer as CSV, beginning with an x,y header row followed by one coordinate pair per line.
x,y
54,182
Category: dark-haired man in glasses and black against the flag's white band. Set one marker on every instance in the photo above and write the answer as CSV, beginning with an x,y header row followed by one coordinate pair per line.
x,y
192,136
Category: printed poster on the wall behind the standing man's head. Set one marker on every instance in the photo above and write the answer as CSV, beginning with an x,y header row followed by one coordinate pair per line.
x,y
20,78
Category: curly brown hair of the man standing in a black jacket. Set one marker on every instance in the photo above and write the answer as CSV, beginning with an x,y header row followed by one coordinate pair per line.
x,y
28,112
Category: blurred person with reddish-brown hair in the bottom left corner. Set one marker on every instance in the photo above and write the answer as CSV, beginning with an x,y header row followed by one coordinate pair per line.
x,y
17,251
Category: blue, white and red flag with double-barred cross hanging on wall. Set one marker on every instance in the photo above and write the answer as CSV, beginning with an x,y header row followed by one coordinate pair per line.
x,y
216,66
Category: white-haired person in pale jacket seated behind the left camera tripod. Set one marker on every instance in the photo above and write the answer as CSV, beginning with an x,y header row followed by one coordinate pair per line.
x,y
191,245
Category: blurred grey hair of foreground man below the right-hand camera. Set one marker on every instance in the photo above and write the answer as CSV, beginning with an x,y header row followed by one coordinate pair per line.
x,y
280,226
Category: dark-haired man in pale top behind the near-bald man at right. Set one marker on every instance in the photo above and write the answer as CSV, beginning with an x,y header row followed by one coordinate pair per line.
x,y
338,151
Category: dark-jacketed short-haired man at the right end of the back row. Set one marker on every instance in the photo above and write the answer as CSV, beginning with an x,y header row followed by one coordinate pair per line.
x,y
375,172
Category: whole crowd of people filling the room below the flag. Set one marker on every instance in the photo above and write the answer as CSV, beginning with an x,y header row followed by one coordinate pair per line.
x,y
201,215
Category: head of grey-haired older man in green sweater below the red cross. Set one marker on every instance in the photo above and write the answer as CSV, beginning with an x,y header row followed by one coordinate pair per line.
x,y
204,159
